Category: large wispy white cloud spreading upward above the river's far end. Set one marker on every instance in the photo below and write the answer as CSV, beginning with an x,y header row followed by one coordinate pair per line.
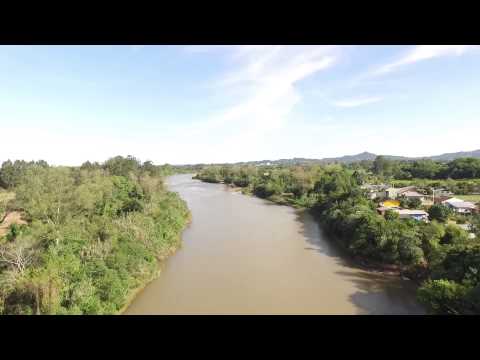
x,y
265,80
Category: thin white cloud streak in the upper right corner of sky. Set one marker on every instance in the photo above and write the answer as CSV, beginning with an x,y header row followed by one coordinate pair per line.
x,y
423,52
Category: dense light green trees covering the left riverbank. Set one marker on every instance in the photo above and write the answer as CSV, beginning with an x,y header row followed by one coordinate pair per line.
x,y
90,235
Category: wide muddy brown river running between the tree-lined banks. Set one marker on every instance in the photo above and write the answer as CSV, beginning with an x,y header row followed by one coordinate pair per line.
x,y
244,255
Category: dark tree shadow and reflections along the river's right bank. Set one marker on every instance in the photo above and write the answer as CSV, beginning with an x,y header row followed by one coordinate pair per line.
x,y
373,292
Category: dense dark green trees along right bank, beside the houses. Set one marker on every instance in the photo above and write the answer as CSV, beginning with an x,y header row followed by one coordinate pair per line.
x,y
439,255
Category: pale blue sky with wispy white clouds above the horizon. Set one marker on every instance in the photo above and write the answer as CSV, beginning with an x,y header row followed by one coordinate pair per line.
x,y
211,104
